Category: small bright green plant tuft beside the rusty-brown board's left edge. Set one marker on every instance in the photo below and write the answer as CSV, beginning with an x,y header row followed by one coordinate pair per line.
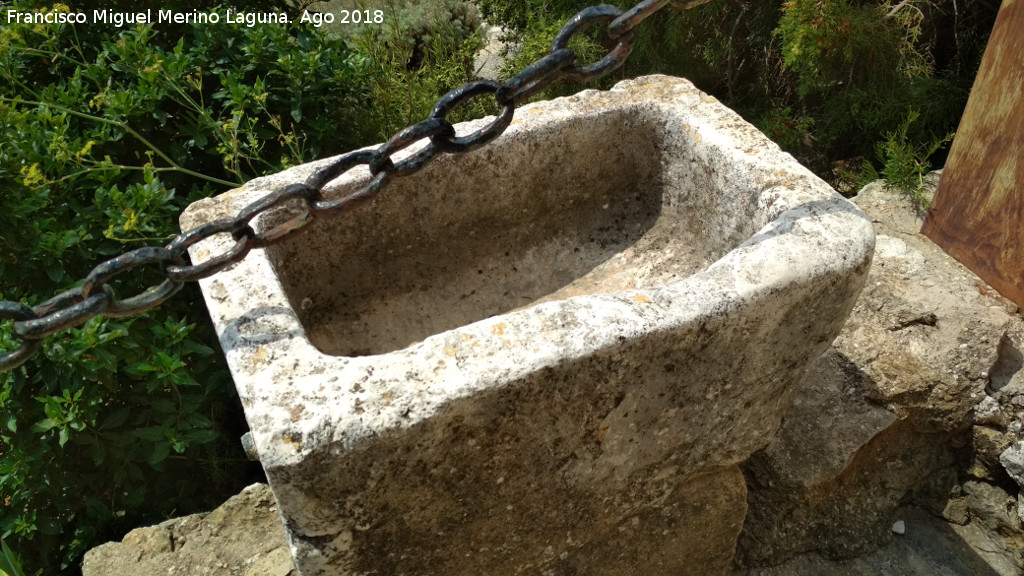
x,y
906,163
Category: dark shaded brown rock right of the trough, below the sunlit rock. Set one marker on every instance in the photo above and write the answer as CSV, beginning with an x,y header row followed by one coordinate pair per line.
x,y
835,473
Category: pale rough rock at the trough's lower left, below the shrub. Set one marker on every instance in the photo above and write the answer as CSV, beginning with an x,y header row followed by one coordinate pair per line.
x,y
243,538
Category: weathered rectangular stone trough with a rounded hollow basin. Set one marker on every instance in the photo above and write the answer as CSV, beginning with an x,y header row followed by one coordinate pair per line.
x,y
545,357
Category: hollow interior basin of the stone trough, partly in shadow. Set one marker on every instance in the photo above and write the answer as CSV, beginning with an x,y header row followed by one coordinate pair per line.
x,y
582,208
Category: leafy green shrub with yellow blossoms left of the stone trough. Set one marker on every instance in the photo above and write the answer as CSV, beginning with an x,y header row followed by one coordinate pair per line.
x,y
106,135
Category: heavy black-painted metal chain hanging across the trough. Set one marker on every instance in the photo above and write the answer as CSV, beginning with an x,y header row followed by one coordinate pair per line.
x,y
96,297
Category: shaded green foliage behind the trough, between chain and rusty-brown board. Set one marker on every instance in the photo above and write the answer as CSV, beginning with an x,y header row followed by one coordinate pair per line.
x,y
828,78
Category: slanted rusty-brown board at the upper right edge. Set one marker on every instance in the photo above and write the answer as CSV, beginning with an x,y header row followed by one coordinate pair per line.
x,y
978,213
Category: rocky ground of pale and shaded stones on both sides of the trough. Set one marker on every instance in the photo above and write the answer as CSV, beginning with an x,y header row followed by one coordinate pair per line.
x,y
903,454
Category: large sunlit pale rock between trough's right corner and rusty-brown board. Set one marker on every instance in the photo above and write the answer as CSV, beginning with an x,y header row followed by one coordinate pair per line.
x,y
926,331
